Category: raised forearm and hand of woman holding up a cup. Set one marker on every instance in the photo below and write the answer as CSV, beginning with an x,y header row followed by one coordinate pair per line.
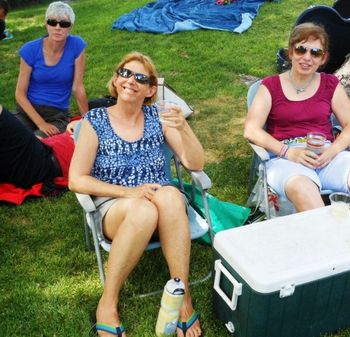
x,y
182,140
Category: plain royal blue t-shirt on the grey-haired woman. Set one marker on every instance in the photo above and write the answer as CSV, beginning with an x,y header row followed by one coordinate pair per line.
x,y
51,85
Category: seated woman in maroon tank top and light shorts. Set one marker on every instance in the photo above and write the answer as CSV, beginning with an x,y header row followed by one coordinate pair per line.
x,y
287,107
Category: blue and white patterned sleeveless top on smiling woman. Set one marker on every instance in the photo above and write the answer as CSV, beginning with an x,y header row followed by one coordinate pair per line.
x,y
126,163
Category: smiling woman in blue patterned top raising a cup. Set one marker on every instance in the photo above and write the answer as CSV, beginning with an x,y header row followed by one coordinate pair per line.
x,y
119,160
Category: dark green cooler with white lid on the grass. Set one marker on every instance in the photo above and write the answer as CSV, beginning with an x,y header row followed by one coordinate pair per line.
x,y
285,277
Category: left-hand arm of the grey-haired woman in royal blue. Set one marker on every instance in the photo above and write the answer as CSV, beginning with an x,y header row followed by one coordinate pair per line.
x,y
21,97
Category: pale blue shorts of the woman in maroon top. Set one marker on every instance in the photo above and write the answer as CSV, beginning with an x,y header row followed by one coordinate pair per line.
x,y
334,176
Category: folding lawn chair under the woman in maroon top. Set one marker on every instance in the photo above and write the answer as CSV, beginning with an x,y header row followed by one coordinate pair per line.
x,y
262,196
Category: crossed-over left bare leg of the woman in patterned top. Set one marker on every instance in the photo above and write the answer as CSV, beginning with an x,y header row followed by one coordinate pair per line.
x,y
130,224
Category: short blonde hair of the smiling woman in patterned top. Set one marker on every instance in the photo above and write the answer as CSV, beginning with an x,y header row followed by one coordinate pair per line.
x,y
147,63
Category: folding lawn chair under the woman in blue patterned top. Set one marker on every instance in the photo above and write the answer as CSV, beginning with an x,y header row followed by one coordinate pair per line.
x,y
199,225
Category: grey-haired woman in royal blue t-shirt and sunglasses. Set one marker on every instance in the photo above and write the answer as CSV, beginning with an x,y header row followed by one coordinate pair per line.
x,y
51,68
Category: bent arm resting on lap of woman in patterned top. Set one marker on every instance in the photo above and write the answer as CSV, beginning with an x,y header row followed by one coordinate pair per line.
x,y
82,162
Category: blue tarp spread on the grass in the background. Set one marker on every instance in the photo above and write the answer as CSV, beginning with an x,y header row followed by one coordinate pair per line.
x,y
171,16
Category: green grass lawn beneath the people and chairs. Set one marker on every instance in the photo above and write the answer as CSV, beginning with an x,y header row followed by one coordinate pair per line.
x,y
49,283
